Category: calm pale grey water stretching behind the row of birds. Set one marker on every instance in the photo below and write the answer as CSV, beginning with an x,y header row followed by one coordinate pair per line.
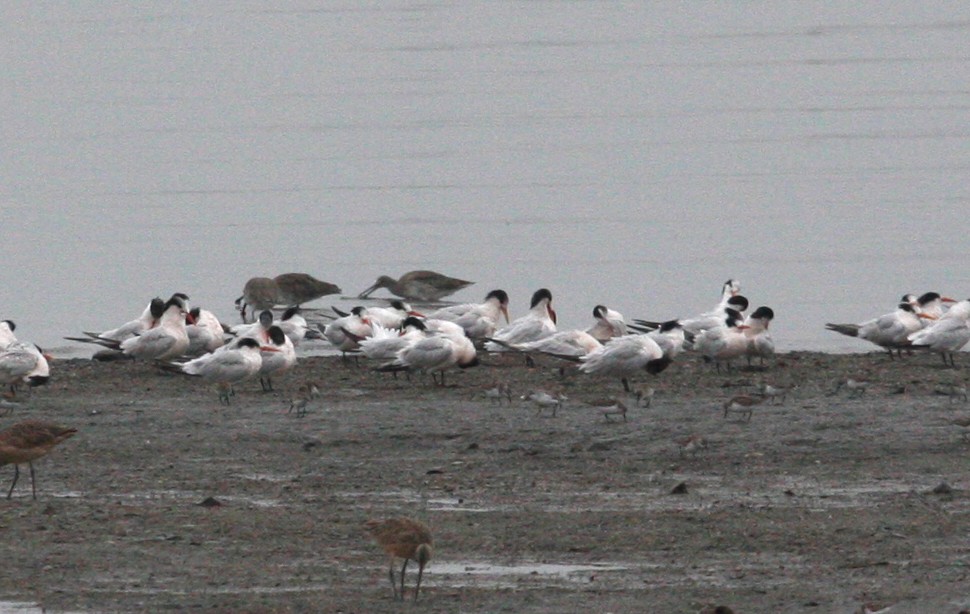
x,y
635,154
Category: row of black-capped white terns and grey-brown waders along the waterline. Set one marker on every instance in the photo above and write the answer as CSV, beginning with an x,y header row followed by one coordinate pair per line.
x,y
396,337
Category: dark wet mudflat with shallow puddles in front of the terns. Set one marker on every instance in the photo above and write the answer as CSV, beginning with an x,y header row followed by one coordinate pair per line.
x,y
829,500
